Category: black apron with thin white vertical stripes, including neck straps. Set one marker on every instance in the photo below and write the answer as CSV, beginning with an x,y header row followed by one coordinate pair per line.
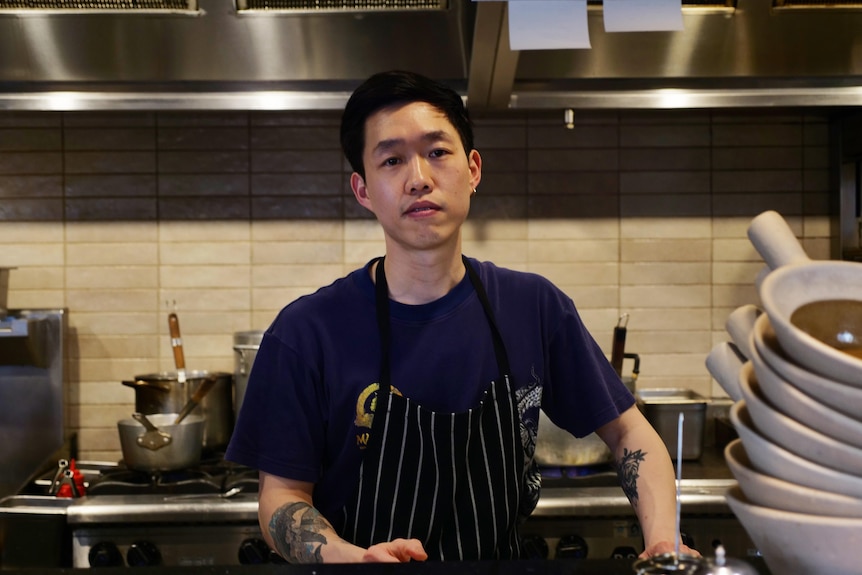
x,y
451,480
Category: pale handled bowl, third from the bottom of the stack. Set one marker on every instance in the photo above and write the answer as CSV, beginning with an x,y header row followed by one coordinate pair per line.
x,y
771,459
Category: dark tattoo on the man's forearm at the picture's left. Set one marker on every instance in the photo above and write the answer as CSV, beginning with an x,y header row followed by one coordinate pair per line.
x,y
296,530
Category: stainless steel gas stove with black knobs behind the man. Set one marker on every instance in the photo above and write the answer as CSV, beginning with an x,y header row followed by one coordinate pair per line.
x,y
207,516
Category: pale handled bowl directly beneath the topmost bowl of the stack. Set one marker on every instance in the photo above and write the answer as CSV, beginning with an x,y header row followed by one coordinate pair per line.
x,y
842,397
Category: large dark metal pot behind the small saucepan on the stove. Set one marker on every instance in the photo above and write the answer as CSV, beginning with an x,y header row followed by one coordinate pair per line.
x,y
164,393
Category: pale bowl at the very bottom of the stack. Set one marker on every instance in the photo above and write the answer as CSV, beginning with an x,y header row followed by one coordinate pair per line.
x,y
796,543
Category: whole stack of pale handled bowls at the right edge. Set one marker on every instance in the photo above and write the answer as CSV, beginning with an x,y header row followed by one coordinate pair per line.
x,y
798,459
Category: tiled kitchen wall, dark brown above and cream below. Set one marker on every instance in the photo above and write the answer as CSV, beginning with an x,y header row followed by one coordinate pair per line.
x,y
228,216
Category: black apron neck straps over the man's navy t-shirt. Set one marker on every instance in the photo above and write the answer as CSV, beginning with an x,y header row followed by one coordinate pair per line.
x,y
381,290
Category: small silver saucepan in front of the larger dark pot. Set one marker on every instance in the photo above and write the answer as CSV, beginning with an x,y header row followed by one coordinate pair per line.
x,y
182,452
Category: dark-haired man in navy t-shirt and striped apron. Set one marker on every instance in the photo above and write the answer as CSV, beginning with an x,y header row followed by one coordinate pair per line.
x,y
393,414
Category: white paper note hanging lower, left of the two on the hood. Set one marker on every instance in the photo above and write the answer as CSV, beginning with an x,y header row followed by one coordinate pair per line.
x,y
548,24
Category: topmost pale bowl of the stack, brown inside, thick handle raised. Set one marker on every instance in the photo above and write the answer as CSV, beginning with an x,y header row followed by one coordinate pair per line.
x,y
815,307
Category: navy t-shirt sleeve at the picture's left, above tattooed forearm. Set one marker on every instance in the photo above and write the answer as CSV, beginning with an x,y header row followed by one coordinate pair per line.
x,y
280,426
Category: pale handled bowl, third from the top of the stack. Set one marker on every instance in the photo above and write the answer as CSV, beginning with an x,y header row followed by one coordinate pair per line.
x,y
804,408
